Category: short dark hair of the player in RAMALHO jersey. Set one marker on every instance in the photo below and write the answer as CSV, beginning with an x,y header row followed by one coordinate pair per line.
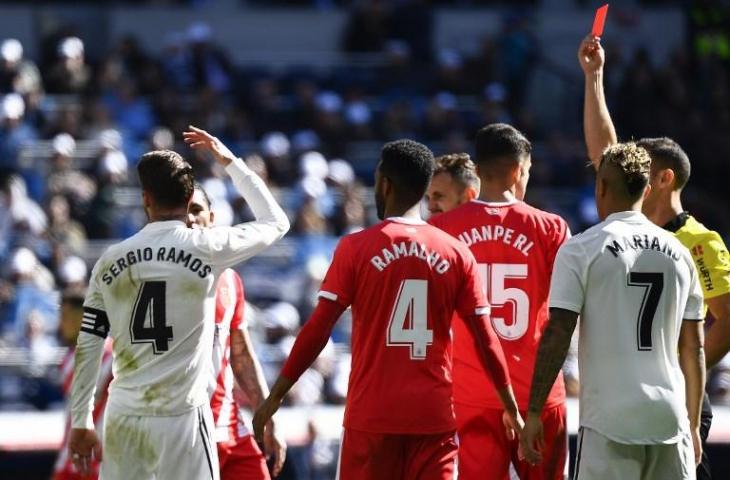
x,y
409,166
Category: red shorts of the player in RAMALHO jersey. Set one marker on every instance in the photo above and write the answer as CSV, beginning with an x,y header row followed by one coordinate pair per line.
x,y
369,456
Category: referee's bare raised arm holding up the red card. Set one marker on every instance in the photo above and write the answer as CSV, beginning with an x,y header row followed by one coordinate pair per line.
x,y
597,125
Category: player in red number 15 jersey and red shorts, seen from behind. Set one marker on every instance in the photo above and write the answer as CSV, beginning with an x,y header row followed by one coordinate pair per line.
x,y
515,245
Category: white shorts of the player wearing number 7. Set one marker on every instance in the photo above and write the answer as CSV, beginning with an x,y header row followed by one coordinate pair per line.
x,y
599,458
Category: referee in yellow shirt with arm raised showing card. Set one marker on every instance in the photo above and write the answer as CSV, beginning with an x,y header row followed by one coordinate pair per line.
x,y
670,170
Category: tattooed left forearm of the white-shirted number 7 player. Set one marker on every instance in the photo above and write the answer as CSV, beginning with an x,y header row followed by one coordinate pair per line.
x,y
550,358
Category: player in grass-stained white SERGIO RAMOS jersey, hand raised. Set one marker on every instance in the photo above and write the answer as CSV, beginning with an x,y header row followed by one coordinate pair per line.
x,y
154,293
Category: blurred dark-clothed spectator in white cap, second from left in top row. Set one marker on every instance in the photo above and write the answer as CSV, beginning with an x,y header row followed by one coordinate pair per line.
x,y
70,73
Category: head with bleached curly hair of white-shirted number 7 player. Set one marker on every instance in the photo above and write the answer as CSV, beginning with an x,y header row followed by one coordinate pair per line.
x,y
625,166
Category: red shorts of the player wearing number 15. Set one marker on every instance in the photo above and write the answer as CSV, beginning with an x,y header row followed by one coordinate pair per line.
x,y
486,452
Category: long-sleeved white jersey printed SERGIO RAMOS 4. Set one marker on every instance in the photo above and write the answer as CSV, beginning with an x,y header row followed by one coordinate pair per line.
x,y
154,293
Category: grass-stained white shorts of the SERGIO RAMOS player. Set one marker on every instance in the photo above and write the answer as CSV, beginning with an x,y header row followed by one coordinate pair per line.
x,y
159,448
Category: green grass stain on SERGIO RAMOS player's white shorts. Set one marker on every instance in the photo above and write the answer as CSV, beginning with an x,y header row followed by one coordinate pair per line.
x,y
125,439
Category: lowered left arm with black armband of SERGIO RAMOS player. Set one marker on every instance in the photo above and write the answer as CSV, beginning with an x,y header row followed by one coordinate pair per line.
x,y
83,441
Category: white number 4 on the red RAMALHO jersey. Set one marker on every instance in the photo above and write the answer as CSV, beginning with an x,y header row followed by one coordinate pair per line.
x,y
408,324
